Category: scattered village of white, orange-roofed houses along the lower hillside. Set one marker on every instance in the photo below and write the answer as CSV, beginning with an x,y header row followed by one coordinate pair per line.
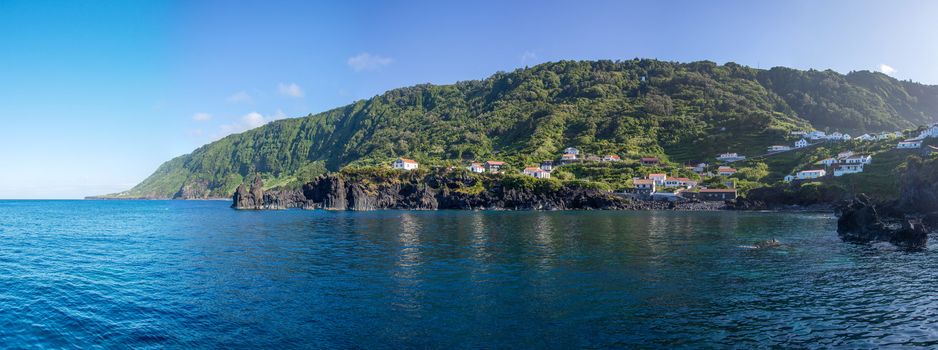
x,y
717,181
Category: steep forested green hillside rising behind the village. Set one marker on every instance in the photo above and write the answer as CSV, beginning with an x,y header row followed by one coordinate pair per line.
x,y
680,112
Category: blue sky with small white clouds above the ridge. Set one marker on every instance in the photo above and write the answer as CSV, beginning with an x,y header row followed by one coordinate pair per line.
x,y
95,95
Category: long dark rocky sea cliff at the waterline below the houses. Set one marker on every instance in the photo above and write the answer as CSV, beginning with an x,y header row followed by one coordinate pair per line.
x,y
431,192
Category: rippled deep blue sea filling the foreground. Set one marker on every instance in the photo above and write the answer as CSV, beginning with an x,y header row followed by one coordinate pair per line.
x,y
196,274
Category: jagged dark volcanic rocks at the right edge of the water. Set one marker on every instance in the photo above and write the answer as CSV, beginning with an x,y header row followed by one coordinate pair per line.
x,y
905,222
